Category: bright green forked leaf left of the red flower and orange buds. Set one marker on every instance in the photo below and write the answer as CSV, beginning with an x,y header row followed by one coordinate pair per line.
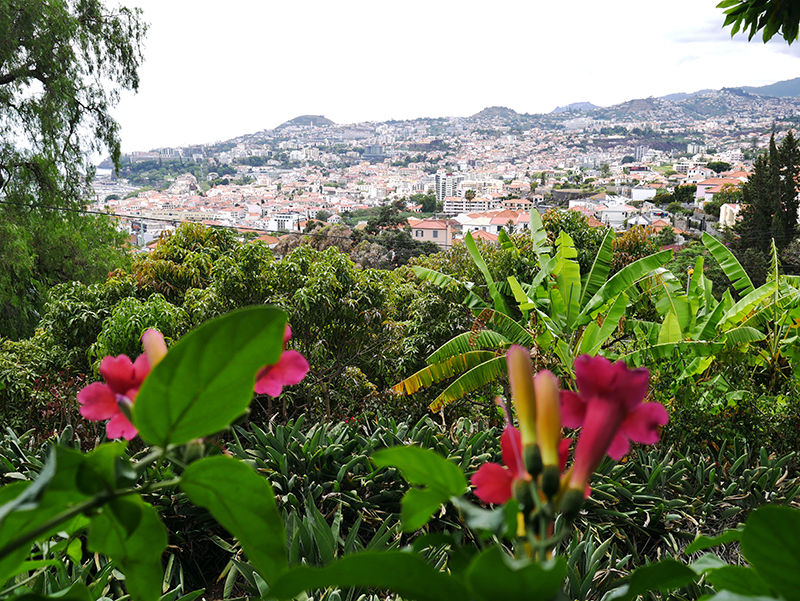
x,y
438,478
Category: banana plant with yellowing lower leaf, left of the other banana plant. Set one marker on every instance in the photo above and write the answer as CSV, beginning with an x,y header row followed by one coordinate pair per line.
x,y
561,312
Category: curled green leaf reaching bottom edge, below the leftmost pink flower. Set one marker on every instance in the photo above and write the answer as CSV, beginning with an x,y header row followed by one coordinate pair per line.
x,y
137,553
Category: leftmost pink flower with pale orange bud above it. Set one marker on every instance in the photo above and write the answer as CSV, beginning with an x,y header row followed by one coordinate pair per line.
x,y
99,401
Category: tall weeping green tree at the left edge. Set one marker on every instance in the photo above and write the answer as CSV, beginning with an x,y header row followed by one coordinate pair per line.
x,y
57,59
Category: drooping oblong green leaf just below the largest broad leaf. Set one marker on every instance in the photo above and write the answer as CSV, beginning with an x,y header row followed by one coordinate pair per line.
x,y
244,504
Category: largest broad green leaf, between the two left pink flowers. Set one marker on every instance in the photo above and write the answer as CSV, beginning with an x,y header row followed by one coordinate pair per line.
x,y
206,380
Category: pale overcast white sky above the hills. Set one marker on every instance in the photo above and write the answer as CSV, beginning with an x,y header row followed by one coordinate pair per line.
x,y
217,70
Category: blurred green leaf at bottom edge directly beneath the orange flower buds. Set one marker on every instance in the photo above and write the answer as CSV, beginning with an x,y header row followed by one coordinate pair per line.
x,y
495,576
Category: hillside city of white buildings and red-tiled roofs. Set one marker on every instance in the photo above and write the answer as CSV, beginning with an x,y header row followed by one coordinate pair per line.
x,y
477,174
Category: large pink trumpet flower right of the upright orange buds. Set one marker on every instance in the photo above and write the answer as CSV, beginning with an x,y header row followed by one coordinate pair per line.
x,y
610,409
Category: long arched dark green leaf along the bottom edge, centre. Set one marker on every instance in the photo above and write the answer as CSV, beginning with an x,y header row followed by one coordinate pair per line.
x,y
406,574
